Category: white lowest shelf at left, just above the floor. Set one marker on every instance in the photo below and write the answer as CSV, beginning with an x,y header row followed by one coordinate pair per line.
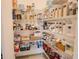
x,y
29,52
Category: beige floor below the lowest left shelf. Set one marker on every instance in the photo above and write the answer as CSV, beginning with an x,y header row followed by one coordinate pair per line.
x,y
38,56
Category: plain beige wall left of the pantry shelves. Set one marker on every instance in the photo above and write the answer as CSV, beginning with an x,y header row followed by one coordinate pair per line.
x,y
7,32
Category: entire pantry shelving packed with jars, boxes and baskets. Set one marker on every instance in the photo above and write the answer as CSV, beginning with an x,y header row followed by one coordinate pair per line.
x,y
51,30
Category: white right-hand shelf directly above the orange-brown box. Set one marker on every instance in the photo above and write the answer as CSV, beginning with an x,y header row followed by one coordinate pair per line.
x,y
68,39
